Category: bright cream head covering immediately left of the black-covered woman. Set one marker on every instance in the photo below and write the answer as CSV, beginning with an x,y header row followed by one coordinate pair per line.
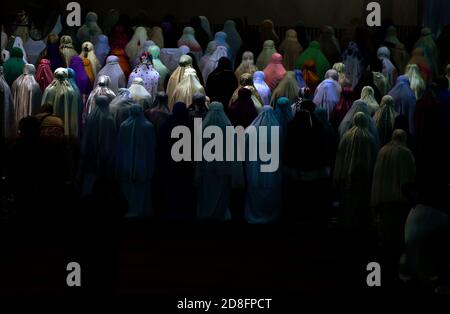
x,y
185,90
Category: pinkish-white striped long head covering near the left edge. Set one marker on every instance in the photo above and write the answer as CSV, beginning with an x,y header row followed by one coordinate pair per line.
x,y
26,94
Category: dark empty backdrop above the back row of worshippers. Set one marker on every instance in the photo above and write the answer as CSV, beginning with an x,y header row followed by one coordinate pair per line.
x,y
283,12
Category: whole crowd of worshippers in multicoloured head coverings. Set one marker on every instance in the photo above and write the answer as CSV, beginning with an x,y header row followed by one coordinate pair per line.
x,y
364,122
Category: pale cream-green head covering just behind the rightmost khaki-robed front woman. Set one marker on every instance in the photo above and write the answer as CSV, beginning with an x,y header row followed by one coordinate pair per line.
x,y
385,119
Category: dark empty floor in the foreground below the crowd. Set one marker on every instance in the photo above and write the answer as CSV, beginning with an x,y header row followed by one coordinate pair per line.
x,y
169,260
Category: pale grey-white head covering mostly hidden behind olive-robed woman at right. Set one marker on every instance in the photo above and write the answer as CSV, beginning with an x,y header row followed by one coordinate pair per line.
x,y
348,122
